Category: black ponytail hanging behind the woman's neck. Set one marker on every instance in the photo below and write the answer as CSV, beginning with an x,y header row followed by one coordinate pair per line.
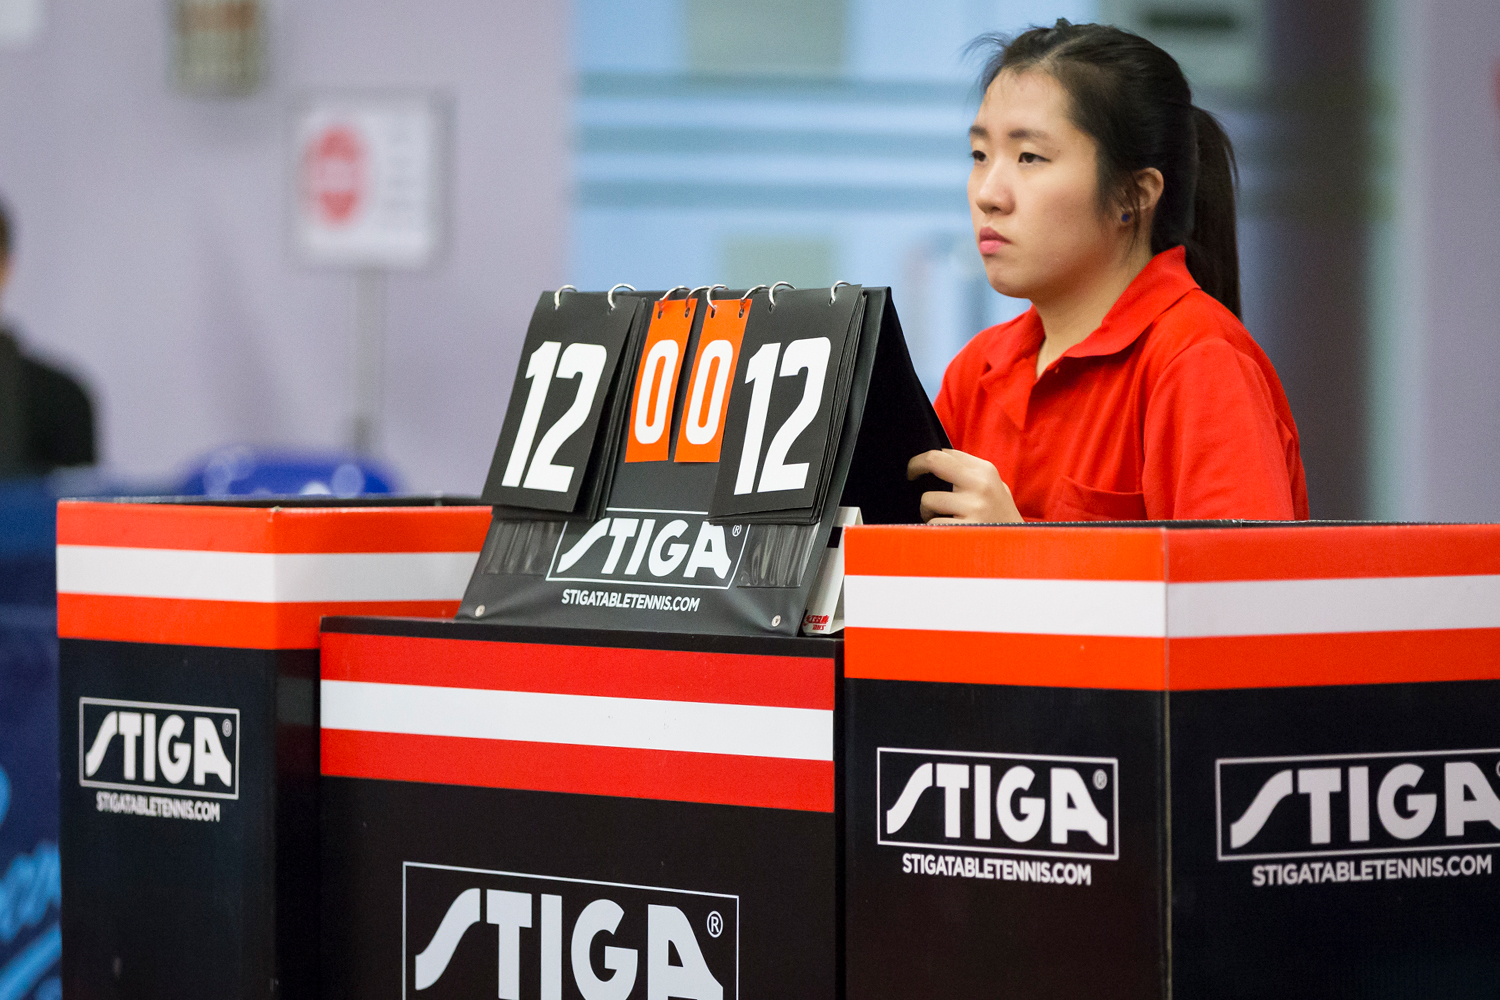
x,y
1213,245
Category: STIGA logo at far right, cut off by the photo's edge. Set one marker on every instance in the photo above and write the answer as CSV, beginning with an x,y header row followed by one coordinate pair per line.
x,y
1357,804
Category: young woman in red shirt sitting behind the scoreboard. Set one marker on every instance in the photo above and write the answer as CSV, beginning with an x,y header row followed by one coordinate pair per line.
x,y
1130,389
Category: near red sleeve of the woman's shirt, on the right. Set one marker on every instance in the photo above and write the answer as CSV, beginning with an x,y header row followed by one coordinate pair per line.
x,y
1213,440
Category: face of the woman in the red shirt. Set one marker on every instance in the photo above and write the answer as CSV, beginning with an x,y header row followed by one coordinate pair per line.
x,y
1034,193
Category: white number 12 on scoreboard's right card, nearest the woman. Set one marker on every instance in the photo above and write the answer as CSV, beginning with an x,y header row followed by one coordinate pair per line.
x,y
811,355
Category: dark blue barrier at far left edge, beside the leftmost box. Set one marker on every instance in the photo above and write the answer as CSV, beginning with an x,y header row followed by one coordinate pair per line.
x,y
31,884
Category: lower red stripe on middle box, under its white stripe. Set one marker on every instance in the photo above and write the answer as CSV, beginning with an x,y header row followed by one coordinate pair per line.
x,y
611,771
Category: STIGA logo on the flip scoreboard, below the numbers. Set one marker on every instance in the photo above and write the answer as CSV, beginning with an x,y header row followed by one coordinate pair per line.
x,y
662,548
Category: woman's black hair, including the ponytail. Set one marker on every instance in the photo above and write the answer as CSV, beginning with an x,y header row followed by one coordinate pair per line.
x,y
1133,101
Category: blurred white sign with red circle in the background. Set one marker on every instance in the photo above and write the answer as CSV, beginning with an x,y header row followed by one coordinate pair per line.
x,y
370,175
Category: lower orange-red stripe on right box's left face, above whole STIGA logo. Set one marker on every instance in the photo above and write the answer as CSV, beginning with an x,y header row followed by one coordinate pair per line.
x,y
962,657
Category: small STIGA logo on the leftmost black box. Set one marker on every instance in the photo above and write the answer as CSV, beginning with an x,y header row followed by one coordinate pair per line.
x,y
185,750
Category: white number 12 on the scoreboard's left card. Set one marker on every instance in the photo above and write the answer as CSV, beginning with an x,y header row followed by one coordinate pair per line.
x,y
586,361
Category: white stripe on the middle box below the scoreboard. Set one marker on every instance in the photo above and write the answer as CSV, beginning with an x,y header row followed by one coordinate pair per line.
x,y
748,731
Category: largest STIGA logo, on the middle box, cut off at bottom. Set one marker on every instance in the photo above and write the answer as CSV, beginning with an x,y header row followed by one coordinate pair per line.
x,y
475,933
